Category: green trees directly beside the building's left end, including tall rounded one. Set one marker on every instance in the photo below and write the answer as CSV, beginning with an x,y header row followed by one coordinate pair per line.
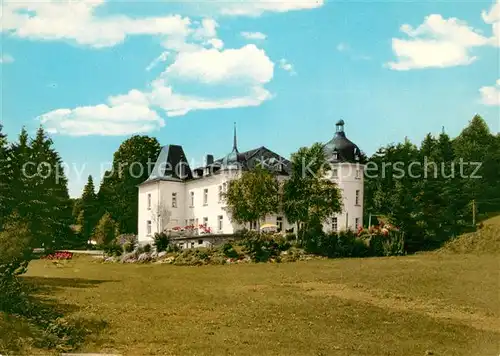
x,y
113,209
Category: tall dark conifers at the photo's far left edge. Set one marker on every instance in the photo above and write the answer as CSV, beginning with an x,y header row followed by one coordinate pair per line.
x,y
33,189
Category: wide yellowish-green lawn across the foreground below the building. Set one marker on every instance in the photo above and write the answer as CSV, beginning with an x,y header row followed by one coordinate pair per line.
x,y
447,305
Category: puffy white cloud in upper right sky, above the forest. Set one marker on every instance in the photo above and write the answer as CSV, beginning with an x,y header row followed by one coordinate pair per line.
x,y
437,43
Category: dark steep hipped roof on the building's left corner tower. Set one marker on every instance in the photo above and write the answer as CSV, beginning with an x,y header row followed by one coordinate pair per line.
x,y
171,165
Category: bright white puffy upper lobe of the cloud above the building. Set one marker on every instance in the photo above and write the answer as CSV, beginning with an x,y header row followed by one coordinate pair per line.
x,y
246,65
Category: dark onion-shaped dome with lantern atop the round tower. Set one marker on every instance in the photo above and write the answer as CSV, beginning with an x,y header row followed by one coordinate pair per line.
x,y
340,148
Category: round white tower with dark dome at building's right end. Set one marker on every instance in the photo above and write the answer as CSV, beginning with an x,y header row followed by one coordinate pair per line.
x,y
347,171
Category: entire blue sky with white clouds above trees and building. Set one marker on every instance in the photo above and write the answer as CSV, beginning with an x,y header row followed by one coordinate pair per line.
x,y
95,72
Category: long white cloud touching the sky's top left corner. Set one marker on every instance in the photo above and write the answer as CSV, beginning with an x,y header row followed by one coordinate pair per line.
x,y
76,21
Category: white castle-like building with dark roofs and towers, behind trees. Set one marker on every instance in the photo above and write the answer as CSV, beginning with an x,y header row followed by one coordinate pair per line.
x,y
176,196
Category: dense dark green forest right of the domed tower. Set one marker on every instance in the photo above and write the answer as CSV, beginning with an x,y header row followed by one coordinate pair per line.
x,y
455,183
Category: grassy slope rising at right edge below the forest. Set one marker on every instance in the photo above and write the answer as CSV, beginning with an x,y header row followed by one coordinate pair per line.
x,y
485,240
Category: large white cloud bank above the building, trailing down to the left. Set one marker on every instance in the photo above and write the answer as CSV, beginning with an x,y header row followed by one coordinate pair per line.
x,y
247,69
